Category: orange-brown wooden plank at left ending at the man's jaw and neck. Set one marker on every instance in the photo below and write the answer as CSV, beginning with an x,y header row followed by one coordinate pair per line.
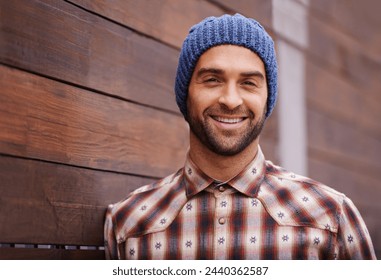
x,y
44,119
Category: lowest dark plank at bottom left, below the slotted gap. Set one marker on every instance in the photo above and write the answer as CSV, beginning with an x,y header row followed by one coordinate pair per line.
x,y
50,254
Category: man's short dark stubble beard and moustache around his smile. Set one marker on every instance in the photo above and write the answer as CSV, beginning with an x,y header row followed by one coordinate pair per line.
x,y
225,142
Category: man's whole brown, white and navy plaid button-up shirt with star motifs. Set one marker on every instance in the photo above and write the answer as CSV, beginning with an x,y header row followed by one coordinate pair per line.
x,y
264,212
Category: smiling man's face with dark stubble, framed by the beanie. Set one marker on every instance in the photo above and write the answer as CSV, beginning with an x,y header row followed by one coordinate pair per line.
x,y
227,99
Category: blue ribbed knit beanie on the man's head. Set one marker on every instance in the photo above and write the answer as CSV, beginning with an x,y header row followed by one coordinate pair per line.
x,y
232,30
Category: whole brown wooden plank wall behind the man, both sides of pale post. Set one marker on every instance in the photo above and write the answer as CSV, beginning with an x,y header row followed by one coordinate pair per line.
x,y
87,110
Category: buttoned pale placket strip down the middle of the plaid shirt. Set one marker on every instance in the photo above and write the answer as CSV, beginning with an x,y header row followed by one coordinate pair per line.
x,y
221,222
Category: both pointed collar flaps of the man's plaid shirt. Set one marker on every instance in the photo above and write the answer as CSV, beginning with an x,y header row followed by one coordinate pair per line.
x,y
247,181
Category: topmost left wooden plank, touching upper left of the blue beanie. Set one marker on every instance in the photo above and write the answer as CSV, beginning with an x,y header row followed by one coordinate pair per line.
x,y
167,20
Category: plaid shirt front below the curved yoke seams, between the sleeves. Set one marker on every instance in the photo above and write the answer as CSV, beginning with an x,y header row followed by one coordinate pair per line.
x,y
230,227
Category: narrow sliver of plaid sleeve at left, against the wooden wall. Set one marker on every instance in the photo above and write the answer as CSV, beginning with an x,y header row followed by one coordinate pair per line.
x,y
111,245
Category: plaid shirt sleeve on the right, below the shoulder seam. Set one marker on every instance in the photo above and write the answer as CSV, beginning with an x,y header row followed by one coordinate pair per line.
x,y
353,236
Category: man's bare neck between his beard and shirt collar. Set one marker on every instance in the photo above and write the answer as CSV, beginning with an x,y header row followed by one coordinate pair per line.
x,y
218,167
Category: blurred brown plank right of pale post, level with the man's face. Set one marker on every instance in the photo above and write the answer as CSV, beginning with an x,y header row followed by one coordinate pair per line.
x,y
333,95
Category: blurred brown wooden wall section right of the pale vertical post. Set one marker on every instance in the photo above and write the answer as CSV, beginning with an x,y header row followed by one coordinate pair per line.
x,y
344,102
